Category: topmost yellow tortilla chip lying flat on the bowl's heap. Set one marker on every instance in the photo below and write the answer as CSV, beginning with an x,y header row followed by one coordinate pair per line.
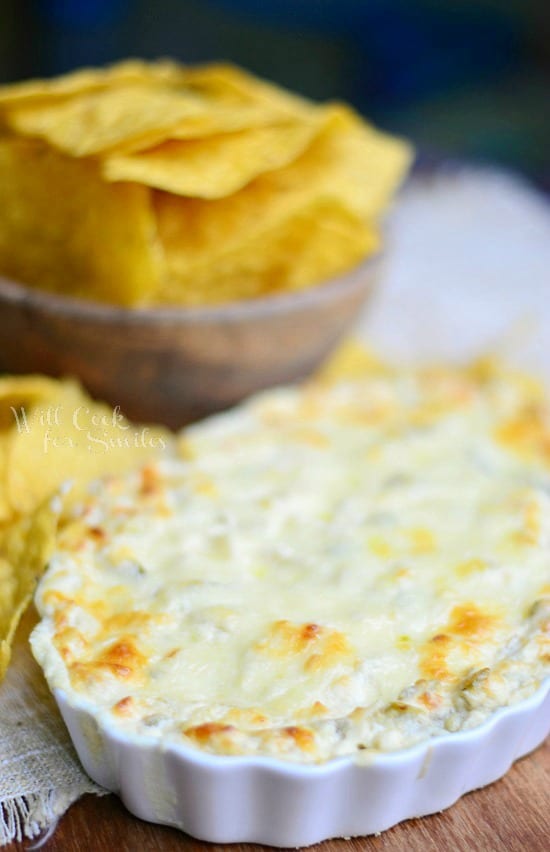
x,y
133,106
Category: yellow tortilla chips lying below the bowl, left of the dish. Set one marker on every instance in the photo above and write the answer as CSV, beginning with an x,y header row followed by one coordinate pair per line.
x,y
51,432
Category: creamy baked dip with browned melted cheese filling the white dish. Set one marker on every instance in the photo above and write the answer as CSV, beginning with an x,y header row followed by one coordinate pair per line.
x,y
329,570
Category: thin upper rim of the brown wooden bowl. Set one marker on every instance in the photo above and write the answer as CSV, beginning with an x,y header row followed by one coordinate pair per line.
x,y
18,294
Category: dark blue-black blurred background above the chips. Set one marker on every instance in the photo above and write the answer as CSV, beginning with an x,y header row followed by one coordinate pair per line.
x,y
462,78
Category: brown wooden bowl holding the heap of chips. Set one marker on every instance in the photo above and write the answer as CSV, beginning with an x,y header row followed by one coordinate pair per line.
x,y
173,365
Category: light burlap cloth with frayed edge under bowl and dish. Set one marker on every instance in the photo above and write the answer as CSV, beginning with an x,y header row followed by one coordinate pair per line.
x,y
467,270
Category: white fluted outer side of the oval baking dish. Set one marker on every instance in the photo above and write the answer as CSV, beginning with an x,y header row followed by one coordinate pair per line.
x,y
225,799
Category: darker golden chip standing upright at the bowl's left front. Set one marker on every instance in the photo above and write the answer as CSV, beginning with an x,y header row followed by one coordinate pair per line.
x,y
63,228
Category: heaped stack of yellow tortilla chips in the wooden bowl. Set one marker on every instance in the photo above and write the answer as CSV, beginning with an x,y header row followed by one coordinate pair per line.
x,y
156,183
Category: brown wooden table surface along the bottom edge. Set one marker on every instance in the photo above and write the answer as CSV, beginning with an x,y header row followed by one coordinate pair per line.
x,y
512,815
